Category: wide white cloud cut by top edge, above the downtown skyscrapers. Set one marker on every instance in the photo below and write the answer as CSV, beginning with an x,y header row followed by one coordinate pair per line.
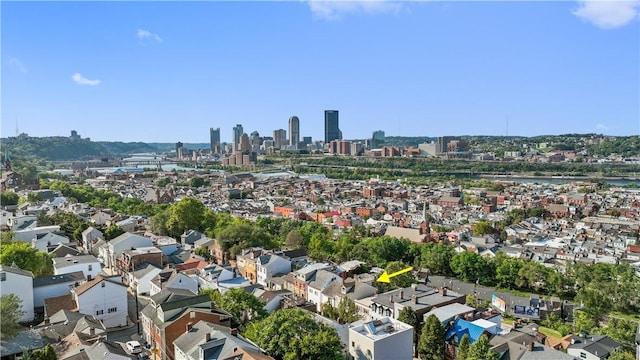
x,y
336,9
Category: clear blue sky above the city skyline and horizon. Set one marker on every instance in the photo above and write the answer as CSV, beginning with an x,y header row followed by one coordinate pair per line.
x,y
168,71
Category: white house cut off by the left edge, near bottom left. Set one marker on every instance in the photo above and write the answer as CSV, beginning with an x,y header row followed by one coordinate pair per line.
x,y
20,283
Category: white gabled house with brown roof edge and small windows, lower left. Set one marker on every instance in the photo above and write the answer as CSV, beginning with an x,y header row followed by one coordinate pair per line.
x,y
104,298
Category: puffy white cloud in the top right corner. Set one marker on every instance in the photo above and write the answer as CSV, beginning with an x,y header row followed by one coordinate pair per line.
x,y
607,14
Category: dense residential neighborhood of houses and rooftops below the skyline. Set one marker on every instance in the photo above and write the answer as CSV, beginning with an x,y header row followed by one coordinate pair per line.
x,y
143,285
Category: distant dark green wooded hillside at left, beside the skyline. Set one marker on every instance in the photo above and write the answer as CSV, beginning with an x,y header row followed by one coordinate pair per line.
x,y
60,148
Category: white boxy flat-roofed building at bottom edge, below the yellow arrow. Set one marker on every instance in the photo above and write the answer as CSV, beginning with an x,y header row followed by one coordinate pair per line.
x,y
386,338
